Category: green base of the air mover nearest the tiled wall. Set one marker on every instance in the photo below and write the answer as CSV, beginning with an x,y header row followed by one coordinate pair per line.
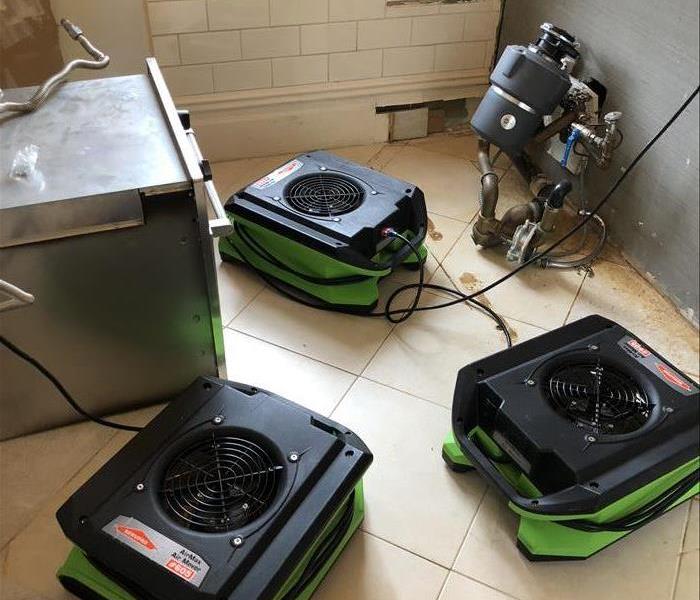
x,y
361,293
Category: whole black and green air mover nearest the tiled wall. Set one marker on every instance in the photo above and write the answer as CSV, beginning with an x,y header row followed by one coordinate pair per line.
x,y
317,224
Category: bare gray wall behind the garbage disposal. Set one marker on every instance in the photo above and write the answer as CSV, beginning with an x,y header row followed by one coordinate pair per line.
x,y
646,53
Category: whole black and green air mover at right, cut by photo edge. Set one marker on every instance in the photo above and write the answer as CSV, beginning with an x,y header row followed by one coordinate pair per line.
x,y
587,431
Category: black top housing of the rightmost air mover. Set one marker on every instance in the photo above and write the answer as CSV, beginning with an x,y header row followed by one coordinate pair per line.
x,y
535,401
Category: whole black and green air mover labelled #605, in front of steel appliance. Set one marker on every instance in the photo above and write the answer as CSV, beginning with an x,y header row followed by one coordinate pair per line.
x,y
231,493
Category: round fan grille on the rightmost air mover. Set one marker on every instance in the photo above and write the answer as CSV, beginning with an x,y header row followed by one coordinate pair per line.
x,y
599,397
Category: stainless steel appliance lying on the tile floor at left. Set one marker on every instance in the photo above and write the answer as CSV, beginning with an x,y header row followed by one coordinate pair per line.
x,y
106,251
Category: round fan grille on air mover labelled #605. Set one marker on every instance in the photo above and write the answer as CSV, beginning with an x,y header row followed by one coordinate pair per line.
x,y
220,483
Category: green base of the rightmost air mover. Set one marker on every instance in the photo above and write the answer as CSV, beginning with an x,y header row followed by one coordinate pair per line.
x,y
546,537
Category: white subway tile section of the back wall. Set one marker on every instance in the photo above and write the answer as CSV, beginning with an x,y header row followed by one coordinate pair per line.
x,y
210,46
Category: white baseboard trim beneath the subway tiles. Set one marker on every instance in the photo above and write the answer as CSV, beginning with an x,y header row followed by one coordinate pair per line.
x,y
266,122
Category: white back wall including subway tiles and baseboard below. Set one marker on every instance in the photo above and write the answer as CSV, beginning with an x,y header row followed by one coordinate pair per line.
x,y
271,76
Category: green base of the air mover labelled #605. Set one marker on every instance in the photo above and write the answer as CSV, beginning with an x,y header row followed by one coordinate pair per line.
x,y
83,579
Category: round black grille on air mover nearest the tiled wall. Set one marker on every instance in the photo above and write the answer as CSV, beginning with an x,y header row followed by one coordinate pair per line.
x,y
324,195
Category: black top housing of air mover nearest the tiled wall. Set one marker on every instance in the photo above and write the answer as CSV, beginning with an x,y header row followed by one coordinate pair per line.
x,y
335,206
